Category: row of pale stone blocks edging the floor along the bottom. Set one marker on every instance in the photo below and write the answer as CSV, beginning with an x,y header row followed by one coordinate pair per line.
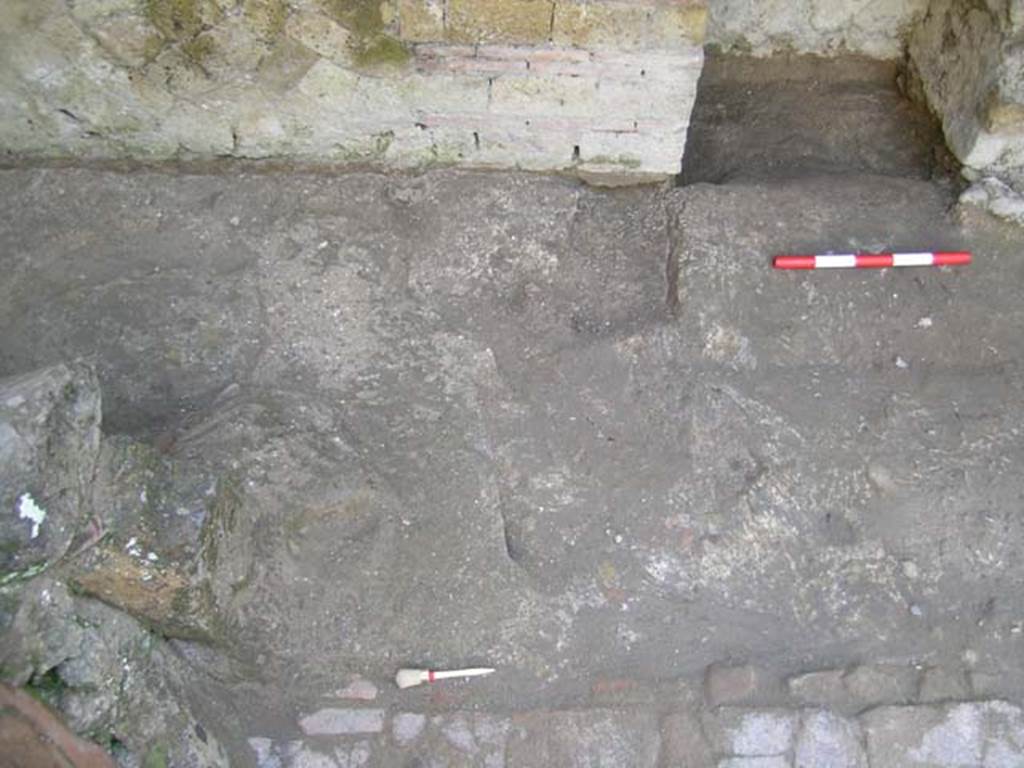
x,y
913,721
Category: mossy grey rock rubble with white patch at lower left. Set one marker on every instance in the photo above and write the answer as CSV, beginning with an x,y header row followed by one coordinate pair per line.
x,y
111,678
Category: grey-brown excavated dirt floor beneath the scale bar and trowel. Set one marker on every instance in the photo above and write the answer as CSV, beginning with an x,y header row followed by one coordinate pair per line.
x,y
575,435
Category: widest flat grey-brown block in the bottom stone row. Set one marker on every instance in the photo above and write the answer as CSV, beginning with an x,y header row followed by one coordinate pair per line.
x,y
600,738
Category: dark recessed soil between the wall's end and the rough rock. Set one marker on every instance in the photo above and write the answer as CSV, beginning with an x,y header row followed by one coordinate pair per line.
x,y
790,117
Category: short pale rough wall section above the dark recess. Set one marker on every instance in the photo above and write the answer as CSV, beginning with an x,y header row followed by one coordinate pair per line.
x,y
873,28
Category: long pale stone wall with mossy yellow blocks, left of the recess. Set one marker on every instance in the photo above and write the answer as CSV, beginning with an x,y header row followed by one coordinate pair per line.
x,y
601,88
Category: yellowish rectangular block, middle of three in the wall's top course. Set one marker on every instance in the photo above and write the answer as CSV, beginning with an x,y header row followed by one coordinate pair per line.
x,y
500,21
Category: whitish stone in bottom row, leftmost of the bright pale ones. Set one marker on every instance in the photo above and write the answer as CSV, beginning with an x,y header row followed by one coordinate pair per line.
x,y
751,733
